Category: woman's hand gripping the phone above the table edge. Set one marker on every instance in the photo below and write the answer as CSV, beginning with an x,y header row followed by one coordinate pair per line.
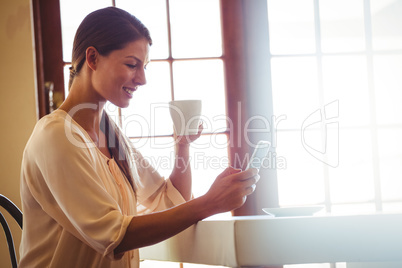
x,y
231,188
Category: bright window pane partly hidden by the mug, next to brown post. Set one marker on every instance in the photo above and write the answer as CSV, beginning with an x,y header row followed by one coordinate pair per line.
x,y
203,80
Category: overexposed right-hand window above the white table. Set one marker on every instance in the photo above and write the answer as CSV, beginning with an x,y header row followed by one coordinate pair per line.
x,y
339,137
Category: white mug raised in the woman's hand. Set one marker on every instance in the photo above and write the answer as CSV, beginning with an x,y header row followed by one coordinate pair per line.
x,y
186,116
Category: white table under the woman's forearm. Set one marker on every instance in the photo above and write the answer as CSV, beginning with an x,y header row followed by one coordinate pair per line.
x,y
266,241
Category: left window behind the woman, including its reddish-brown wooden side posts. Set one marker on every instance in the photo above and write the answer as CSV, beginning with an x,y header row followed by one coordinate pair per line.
x,y
222,84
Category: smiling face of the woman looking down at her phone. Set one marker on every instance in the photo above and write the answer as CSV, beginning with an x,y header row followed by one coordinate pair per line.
x,y
119,74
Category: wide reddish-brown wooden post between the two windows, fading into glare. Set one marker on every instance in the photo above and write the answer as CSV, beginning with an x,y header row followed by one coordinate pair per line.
x,y
248,89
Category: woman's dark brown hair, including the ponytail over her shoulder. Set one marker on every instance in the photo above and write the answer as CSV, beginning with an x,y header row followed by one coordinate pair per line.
x,y
109,29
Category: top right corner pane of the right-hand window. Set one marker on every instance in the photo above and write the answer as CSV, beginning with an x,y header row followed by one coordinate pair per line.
x,y
386,21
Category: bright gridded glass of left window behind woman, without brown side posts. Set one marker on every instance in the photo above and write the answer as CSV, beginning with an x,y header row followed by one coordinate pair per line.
x,y
186,63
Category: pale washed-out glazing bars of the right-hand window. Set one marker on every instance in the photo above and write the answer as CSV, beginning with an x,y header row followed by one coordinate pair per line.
x,y
373,126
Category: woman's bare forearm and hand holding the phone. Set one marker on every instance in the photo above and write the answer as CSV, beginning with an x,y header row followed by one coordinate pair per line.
x,y
229,191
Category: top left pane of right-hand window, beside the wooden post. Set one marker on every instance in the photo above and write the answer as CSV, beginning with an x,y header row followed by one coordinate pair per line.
x,y
291,29
